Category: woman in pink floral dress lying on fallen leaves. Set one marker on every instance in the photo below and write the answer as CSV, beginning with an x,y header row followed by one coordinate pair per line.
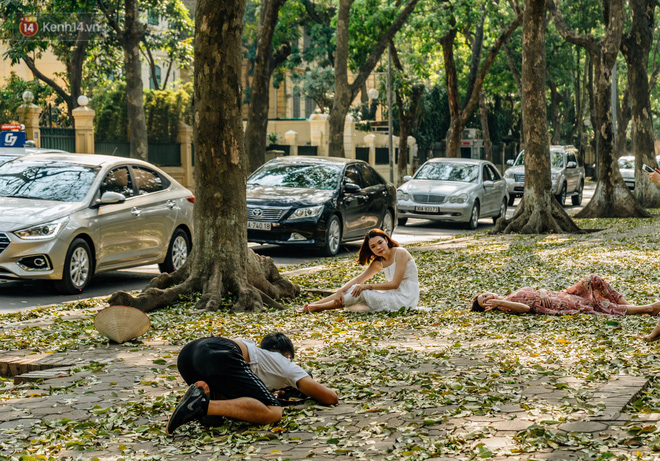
x,y
591,295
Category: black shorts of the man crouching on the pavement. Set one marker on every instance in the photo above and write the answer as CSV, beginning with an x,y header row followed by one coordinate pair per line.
x,y
220,364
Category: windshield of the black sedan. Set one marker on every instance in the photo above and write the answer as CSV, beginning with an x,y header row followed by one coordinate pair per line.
x,y
297,175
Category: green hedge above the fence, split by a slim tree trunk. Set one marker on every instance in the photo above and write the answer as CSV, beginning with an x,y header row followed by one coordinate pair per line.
x,y
163,110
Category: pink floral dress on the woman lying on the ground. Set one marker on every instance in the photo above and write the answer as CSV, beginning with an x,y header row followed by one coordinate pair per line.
x,y
591,295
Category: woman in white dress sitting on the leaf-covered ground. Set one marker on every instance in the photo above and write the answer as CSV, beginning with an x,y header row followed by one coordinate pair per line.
x,y
380,252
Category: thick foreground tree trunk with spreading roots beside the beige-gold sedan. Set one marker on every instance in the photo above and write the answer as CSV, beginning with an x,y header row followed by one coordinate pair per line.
x,y
221,263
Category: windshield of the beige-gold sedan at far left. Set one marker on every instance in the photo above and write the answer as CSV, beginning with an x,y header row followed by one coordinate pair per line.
x,y
62,182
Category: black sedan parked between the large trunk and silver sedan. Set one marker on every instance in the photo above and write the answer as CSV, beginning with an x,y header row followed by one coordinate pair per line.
x,y
317,201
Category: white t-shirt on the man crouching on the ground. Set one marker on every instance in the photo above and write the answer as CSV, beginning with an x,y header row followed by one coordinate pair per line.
x,y
275,370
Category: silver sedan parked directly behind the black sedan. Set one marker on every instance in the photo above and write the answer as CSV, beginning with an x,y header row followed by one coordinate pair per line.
x,y
453,190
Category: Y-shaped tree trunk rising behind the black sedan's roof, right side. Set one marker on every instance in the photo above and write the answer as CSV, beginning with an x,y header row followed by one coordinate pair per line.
x,y
346,92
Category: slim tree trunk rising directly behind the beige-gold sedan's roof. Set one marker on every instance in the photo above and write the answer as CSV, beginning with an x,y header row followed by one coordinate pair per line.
x,y
137,127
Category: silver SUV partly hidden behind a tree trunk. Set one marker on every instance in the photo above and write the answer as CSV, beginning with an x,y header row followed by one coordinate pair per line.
x,y
567,174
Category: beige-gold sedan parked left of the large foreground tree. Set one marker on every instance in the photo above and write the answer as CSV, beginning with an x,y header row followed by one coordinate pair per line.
x,y
66,217
